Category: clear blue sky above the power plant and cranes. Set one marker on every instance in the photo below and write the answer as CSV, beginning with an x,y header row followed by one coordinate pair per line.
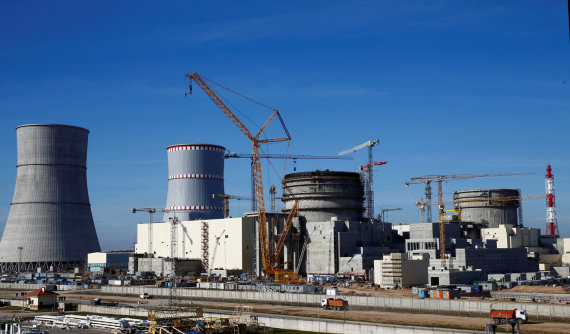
x,y
448,86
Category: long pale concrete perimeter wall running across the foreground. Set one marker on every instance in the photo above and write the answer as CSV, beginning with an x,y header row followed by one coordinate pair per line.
x,y
535,311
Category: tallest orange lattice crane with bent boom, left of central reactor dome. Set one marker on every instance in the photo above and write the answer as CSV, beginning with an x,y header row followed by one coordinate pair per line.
x,y
268,258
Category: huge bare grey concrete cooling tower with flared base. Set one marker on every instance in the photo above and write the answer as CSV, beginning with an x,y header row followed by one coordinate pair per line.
x,y
50,221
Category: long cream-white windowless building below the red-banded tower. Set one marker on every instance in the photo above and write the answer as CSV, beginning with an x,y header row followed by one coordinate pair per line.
x,y
229,241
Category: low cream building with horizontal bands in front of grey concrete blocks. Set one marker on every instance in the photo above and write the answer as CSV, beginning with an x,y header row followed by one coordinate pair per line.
x,y
398,270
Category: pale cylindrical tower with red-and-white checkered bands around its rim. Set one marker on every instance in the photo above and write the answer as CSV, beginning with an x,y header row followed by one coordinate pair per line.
x,y
195,173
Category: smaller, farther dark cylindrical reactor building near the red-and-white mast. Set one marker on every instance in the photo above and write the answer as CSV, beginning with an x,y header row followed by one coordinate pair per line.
x,y
478,206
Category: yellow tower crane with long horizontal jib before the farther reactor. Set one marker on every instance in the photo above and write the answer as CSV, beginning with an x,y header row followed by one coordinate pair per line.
x,y
427,179
